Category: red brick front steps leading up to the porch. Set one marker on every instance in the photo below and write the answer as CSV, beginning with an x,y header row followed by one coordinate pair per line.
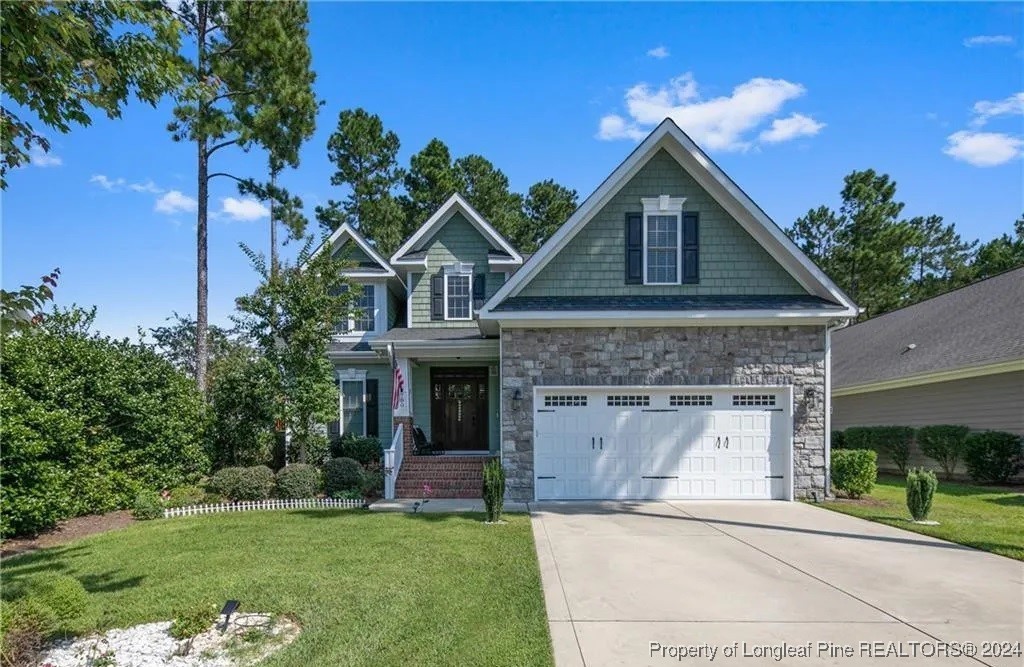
x,y
449,477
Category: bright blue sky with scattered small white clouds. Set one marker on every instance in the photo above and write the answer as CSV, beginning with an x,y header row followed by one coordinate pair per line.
x,y
787,98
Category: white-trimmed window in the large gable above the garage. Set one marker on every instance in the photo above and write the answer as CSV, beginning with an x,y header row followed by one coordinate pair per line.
x,y
663,257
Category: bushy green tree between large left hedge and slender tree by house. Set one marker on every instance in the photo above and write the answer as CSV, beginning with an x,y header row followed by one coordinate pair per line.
x,y
242,396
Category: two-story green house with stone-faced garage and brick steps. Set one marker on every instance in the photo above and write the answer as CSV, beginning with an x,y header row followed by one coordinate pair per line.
x,y
668,342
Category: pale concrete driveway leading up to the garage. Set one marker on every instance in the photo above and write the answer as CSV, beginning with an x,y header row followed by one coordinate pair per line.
x,y
657,583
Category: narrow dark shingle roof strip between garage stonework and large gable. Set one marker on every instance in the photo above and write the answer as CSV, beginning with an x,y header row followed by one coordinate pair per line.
x,y
738,303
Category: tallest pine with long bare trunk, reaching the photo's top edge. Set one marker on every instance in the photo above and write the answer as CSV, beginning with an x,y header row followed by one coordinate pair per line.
x,y
249,84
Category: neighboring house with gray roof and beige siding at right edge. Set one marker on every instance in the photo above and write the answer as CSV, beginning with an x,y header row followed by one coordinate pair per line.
x,y
954,359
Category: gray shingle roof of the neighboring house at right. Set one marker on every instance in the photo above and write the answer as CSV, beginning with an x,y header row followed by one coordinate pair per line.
x,y
967,328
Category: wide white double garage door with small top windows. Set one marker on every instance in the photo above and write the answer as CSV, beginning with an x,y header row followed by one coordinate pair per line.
x,y
594,443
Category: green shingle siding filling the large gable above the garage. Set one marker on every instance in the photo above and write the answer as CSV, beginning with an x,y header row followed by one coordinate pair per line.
x,y
594,262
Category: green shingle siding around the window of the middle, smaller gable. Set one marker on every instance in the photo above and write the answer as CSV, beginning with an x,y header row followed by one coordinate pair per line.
x,y
457,241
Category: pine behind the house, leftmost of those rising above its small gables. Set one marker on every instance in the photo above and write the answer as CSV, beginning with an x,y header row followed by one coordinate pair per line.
x,y
366,159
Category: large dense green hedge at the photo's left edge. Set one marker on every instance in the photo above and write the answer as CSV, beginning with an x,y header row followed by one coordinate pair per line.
x,y
88,423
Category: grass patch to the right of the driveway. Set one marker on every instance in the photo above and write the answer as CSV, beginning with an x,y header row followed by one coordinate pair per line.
x,y
986,518
